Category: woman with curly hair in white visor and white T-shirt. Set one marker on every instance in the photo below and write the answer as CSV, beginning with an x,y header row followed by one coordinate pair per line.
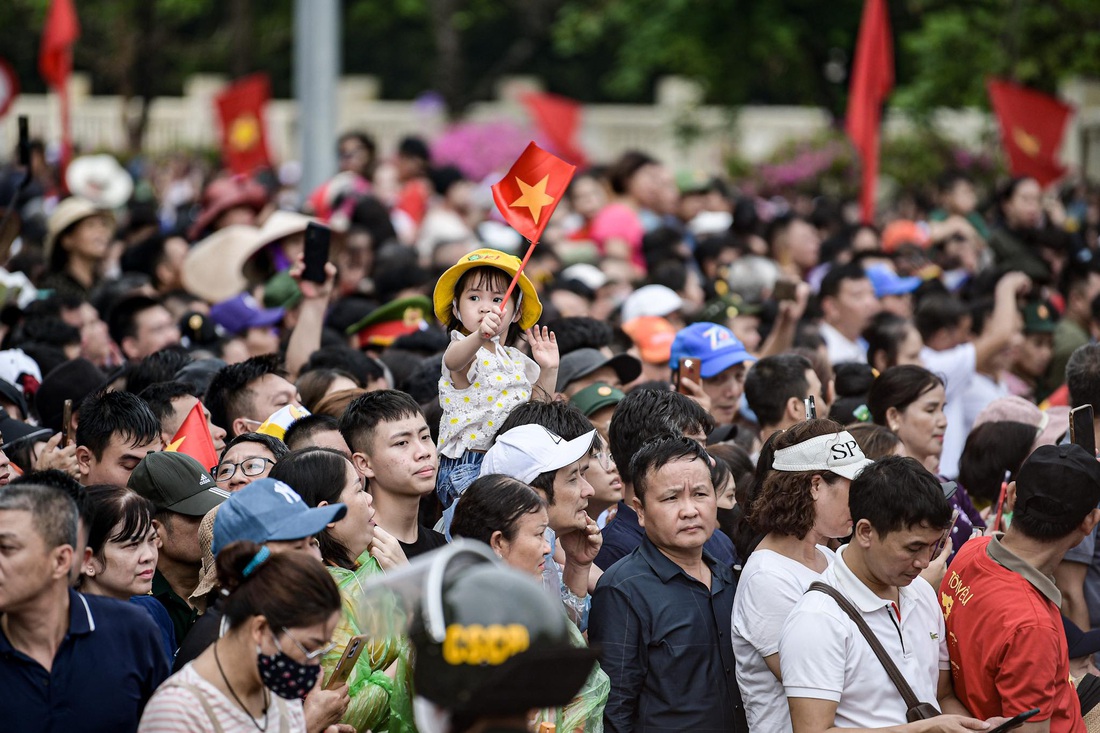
x,y
801,505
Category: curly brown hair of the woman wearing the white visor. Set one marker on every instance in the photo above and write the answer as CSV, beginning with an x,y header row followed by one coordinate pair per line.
x,y
784,504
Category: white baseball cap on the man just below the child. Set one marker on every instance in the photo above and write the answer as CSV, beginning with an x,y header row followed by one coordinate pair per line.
x,y
529,451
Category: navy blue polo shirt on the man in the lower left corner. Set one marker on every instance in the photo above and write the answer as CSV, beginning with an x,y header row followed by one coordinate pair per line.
x,y
105,672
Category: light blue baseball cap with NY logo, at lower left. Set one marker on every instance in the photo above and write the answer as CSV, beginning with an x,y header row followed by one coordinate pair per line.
x,y
270,511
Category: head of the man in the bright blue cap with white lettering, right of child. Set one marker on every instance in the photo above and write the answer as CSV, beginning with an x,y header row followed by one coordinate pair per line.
x,y
723,363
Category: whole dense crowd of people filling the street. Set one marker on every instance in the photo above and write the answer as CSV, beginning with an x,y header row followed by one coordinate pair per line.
x,y
718,463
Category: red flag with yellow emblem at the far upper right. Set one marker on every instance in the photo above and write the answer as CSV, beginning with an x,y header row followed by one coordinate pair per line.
x,y
1032,125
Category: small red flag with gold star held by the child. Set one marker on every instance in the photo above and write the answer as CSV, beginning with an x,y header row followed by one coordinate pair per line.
x,y
530,193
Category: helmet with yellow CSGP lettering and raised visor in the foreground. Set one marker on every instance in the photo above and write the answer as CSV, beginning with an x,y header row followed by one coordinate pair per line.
x,y
489,640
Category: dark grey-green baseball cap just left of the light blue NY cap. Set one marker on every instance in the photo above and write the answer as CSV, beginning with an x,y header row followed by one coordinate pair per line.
x,y
177,483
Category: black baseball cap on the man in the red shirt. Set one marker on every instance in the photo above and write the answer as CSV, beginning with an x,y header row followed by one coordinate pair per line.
x,y
1059,484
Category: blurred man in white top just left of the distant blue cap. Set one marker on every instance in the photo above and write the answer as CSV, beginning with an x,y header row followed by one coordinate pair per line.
x,y
849,304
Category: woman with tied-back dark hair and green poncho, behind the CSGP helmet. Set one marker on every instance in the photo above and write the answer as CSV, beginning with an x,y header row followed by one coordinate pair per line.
x,y
511,518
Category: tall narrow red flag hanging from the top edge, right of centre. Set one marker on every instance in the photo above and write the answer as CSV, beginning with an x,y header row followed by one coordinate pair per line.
x,y
872,82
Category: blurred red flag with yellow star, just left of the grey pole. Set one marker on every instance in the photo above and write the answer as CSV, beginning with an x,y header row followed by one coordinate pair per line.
x,y
241,110
